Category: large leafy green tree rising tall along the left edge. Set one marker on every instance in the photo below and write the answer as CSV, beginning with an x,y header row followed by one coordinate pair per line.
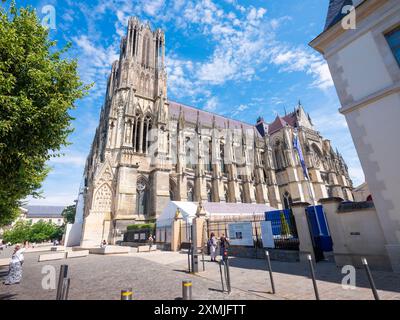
x,y
38,88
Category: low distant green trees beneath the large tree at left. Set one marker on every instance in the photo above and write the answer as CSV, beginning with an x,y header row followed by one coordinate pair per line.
x,y
38,232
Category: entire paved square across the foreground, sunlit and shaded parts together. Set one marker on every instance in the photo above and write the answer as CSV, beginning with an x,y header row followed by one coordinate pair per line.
x,y
158,275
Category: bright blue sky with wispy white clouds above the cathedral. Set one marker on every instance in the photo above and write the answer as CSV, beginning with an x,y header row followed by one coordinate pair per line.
x,y
241,59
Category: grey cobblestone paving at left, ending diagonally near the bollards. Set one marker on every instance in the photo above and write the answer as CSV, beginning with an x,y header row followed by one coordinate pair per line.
x,y
103,277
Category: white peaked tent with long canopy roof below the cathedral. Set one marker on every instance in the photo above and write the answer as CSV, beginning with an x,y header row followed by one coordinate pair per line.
x,y
213,209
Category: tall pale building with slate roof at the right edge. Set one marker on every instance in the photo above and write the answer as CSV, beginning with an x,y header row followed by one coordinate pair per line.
x,y
365,67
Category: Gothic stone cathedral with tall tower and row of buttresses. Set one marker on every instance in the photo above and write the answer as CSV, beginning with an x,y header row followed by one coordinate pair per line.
x,y
149,150
